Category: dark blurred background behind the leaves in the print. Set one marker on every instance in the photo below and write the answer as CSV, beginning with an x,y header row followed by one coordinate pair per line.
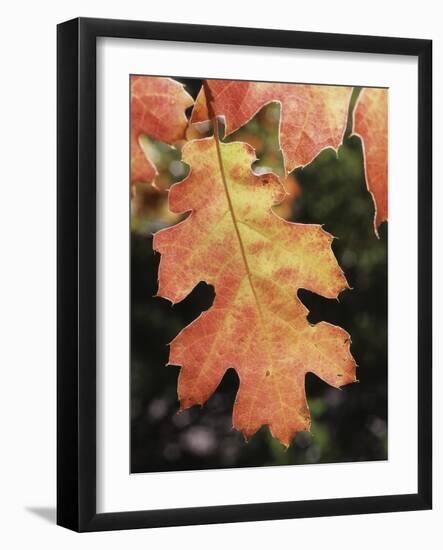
x,y
348,424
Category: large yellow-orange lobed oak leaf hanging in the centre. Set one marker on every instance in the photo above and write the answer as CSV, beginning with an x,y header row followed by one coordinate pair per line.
x,y
256,262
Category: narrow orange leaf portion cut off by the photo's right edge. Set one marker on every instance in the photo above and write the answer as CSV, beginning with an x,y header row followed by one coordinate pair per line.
x,y
371,125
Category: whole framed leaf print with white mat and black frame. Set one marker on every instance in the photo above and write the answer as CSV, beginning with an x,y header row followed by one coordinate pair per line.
x,y
239,338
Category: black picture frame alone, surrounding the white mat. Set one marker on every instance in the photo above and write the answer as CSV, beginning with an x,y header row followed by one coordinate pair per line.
x,y
76,274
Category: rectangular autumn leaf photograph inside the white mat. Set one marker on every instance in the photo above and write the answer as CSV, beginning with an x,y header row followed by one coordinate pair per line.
x,y
258,273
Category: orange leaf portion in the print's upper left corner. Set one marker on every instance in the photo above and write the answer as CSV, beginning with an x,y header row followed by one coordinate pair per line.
x,y
158,110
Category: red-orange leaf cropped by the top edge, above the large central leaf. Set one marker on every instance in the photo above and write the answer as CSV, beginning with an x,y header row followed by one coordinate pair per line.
x,y
312,117
